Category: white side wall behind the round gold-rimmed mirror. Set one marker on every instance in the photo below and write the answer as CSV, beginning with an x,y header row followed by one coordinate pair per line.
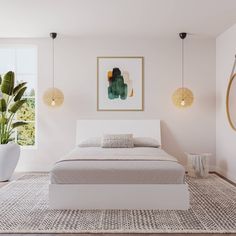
x,y
225,136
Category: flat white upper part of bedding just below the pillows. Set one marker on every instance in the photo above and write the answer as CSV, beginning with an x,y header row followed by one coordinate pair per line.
x,y
117,154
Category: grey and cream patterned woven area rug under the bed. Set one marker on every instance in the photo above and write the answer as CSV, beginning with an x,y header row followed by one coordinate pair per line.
x,y
24,209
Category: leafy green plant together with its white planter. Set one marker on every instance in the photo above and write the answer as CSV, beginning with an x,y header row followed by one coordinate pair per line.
x,y
10,102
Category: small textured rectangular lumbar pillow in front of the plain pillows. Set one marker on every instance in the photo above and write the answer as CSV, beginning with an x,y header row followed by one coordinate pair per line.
x,y
117,141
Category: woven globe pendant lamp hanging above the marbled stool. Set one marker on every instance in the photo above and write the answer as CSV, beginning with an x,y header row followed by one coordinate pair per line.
x,y
182,97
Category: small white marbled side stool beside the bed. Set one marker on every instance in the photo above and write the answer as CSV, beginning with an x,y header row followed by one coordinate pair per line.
x,y
198,164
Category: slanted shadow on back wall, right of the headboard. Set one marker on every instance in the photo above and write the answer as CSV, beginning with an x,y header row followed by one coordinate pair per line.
x,y
170,144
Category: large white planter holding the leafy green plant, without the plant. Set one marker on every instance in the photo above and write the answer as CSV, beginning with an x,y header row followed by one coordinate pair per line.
x,y
9,156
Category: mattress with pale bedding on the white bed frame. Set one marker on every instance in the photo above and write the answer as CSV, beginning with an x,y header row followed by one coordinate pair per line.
x,y
95,165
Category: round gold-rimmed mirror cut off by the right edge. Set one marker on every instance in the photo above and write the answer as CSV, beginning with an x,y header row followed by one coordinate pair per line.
x,y
231,102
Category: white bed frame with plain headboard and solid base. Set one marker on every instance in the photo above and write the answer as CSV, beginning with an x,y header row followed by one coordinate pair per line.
x,y
118,196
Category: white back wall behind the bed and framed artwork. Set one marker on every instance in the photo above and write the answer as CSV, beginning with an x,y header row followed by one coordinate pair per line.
x,y
190,130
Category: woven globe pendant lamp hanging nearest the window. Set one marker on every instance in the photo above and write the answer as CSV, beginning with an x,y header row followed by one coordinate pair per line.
x,y
53,96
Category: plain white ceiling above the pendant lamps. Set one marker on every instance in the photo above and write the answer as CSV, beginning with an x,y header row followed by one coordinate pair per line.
x,y
115,18
